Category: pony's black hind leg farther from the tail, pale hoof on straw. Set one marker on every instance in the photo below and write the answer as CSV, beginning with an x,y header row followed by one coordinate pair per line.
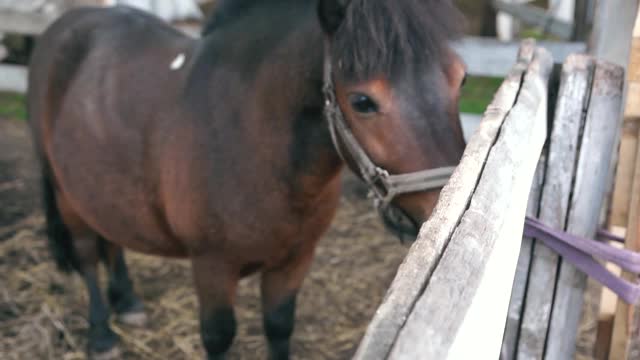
x,y
124,302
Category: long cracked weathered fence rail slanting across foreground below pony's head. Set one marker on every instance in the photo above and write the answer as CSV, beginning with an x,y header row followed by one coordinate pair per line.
x,y
454,286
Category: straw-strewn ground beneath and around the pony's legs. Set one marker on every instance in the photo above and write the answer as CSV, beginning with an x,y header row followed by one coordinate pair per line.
x,y
43,312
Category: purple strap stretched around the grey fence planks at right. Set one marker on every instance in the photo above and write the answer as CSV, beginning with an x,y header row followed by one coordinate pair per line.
x,y
581,252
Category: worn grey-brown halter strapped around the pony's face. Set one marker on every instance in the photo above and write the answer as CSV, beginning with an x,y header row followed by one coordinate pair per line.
x,y
384,186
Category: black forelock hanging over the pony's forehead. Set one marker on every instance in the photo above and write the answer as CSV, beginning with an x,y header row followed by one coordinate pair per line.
x,y
381,36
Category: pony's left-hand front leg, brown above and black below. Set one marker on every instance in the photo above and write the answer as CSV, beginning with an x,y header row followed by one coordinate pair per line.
x,y
215,285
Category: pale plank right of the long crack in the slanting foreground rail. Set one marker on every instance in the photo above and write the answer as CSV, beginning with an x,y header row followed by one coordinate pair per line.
x,y
461,313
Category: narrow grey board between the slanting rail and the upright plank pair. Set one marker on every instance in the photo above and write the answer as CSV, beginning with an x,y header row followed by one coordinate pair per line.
x,y
518,291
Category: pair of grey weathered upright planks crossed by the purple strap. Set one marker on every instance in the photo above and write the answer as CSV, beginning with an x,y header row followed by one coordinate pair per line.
x,y
573,178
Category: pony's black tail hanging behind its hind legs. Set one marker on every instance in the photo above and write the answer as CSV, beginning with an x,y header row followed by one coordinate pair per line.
x,y
58,234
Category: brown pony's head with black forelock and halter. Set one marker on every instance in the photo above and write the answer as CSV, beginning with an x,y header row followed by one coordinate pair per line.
x,y
393,82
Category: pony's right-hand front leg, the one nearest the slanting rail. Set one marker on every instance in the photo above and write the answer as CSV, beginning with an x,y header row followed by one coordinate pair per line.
x,y
279,290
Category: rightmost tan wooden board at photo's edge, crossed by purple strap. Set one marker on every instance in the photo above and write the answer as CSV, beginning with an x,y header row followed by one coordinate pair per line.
x,y
625,343
